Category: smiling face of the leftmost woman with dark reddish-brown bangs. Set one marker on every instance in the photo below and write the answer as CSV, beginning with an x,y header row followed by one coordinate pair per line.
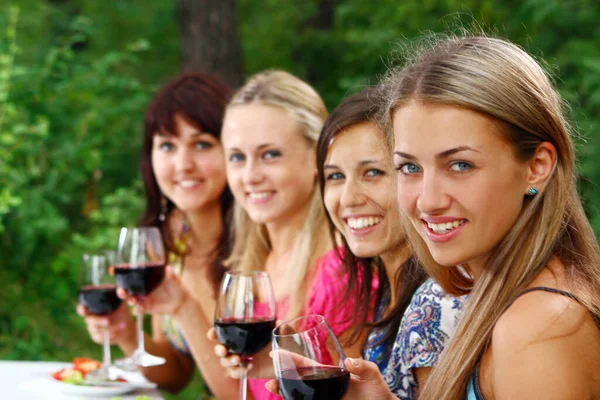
x,y
189,167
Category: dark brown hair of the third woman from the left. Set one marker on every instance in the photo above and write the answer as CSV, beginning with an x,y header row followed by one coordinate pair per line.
x,y
355,109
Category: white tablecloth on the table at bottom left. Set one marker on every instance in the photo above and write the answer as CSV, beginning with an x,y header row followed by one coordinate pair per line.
x,y
31,380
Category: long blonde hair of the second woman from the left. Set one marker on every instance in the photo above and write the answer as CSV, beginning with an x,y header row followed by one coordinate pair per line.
x,y
251,243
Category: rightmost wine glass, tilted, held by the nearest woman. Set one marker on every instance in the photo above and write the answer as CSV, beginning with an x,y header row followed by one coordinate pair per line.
x,y
308,360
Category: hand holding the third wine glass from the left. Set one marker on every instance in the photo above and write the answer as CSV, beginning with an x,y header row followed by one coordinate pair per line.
x,y
260,367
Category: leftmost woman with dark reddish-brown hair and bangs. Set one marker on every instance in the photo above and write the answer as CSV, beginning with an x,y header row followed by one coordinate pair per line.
x,y
187,198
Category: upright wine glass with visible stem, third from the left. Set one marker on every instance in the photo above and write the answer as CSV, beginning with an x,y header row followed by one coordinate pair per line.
x,y
245,316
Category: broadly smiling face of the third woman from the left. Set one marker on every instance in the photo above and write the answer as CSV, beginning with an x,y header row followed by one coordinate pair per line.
x,y
359,194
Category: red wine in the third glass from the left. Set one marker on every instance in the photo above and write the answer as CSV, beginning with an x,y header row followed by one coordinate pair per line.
x,y
244,337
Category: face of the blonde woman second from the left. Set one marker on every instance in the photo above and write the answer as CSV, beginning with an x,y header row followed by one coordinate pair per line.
x,y
271,166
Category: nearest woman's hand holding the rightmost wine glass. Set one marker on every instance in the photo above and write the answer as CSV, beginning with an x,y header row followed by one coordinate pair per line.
x,y
366,382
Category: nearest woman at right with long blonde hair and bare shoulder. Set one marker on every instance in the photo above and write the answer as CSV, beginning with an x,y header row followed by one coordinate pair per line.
x,y
486,181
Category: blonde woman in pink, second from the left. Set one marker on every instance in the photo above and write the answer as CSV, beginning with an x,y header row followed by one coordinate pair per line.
x,y
270,132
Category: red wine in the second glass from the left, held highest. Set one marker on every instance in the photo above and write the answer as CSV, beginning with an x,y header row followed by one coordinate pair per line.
x,y
139,281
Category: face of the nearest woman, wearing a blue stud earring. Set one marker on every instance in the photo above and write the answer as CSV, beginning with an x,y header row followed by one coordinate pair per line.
x,y
459,181
